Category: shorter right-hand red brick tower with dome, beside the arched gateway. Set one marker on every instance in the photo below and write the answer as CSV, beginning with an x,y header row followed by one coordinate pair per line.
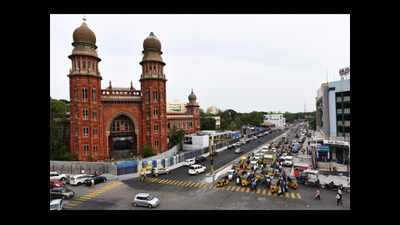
x,y
152,81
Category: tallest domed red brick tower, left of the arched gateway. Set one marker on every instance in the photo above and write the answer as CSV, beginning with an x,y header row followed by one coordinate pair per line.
x,y
85,87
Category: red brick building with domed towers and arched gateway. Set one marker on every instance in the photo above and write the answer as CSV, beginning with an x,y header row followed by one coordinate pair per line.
x,y
118,122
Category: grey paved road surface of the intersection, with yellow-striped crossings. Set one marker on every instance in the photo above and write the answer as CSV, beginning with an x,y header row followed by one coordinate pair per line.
x,y
180,191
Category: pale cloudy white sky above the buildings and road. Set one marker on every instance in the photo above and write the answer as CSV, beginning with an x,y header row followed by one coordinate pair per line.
x,y
232,61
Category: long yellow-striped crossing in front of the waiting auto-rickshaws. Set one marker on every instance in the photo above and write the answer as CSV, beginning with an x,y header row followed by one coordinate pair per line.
x,y
191,184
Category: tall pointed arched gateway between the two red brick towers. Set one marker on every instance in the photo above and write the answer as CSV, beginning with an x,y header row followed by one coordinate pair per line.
x,y
122,135
